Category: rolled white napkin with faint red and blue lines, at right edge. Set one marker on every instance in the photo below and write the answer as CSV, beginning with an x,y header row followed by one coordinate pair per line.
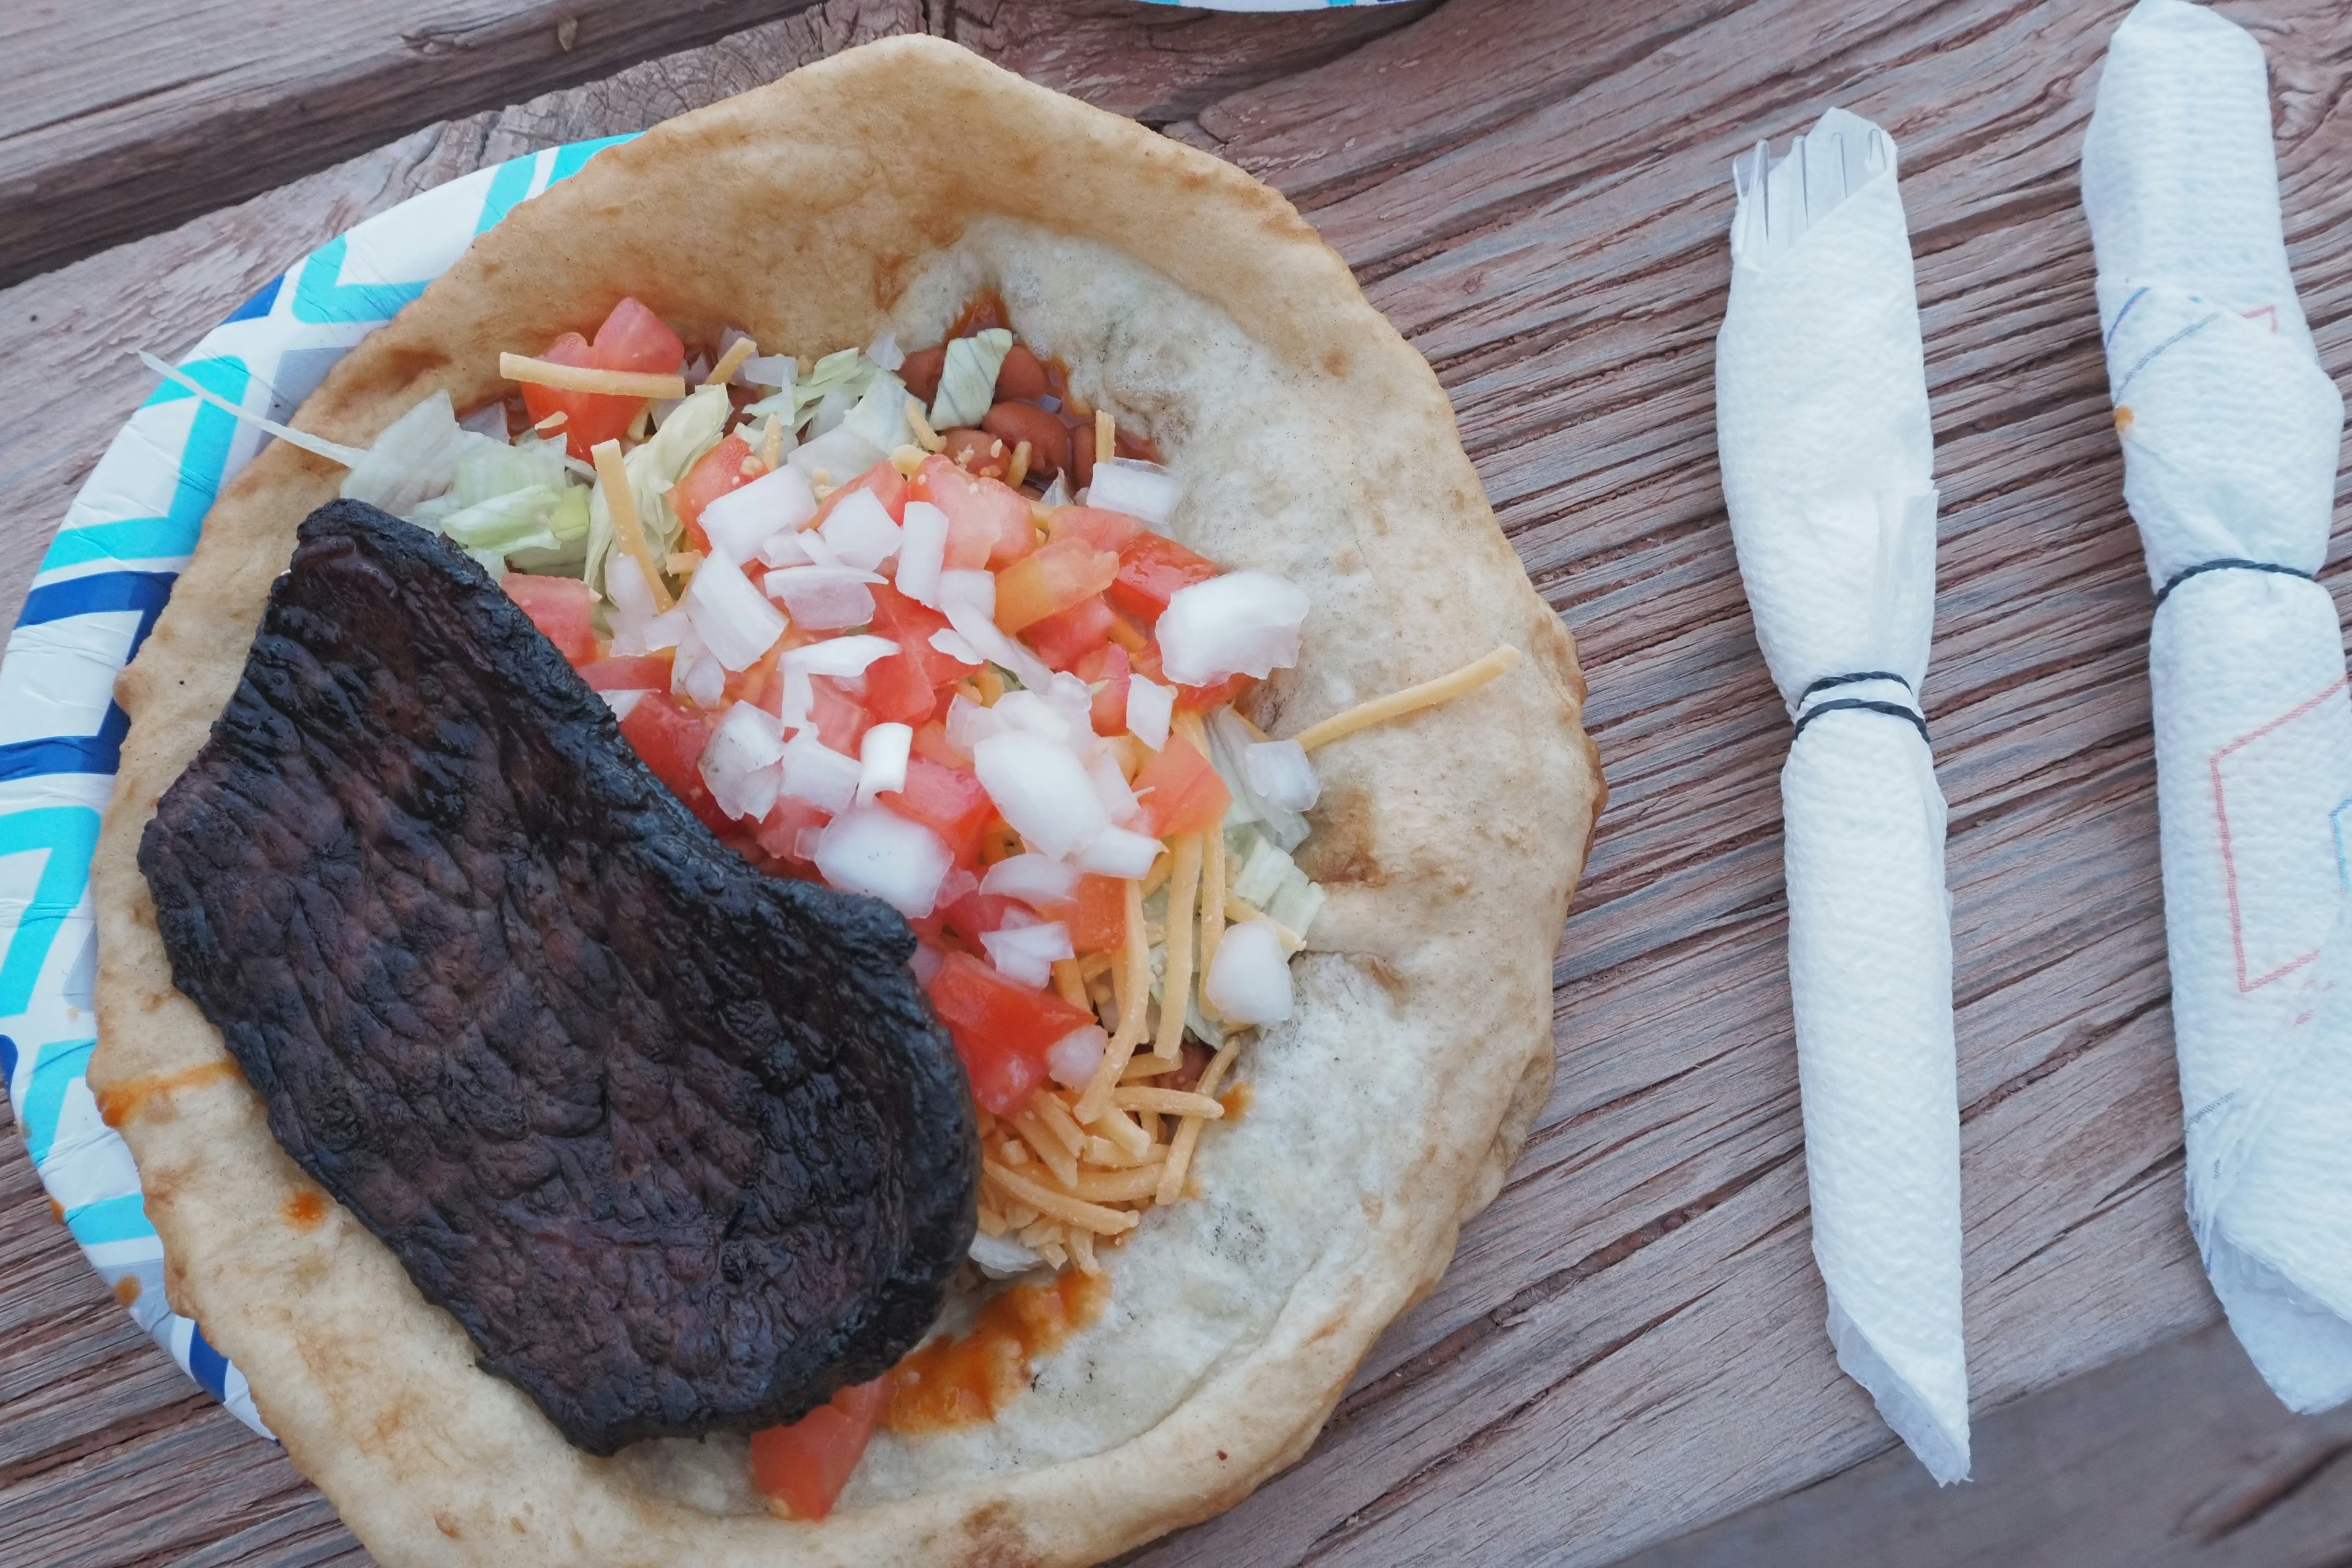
x,y
2231,441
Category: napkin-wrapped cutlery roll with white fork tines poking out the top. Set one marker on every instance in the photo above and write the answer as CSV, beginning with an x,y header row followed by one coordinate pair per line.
x,y
1826,450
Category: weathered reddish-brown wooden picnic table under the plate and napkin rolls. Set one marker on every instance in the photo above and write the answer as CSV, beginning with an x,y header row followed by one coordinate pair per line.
x,y
1537,192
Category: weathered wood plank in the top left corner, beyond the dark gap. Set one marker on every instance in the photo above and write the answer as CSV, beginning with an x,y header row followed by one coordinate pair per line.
x,y
138,116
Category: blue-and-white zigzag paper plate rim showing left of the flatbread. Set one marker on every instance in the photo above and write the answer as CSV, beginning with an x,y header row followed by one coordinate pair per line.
x,y
93,603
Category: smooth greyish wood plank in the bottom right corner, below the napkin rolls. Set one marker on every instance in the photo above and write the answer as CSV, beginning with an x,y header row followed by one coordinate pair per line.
x,y
2177,1459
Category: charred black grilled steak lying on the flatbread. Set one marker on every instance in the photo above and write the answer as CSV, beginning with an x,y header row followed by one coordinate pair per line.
x,y
679,1144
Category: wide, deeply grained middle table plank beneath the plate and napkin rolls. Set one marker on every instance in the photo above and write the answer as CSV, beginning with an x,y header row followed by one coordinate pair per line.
x,y
1631,1339
